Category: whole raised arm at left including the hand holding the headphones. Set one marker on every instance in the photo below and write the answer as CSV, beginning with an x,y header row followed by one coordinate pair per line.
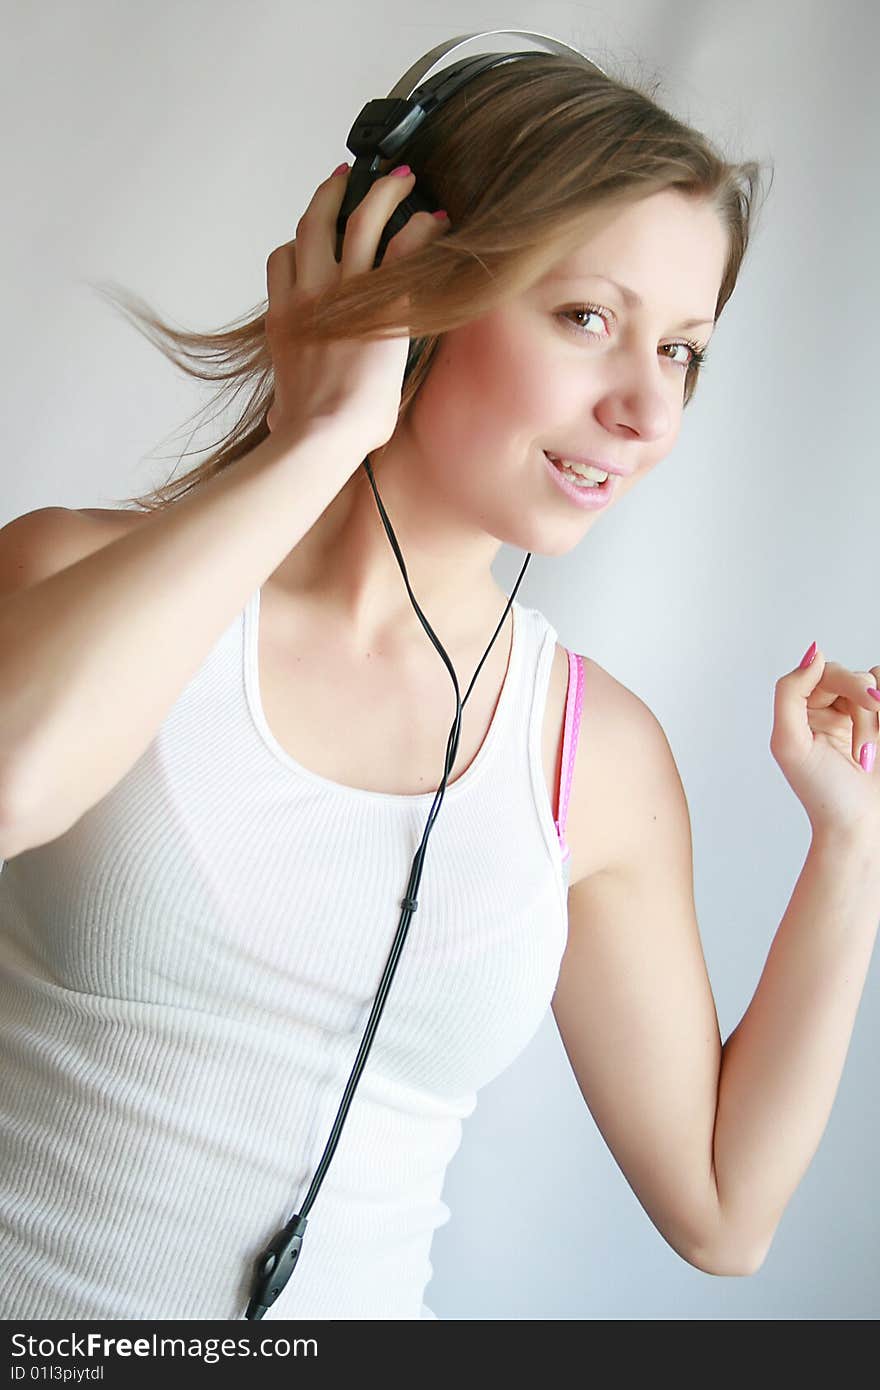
x,y
94,657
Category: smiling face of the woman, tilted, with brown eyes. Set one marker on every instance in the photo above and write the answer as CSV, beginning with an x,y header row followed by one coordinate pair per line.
x,y
541,373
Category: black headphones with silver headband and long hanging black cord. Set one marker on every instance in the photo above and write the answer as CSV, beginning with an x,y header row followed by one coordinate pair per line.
x,y
382,129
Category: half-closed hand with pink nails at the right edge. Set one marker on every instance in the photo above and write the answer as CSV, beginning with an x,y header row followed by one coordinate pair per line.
x,y
822,717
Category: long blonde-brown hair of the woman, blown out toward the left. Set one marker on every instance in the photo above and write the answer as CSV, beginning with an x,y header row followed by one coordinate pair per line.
x,y
522,158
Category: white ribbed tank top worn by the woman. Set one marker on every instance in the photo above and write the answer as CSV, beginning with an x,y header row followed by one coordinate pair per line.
x,y
186,979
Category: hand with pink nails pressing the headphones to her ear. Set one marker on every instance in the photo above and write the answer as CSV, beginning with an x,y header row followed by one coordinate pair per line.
x,y
351,382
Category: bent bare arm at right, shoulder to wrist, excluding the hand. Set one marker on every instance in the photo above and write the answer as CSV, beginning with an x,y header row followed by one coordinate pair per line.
x,y
714,1140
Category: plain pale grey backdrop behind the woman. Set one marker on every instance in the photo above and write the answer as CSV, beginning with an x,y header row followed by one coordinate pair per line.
x,y
170,148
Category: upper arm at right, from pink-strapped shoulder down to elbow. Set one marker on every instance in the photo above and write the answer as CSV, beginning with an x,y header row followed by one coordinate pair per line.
x,y
633,1001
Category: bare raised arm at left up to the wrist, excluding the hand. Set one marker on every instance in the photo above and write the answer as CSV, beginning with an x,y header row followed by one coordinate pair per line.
x,y
94,657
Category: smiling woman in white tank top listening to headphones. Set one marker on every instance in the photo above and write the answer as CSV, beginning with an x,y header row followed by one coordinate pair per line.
x,y
223,732
